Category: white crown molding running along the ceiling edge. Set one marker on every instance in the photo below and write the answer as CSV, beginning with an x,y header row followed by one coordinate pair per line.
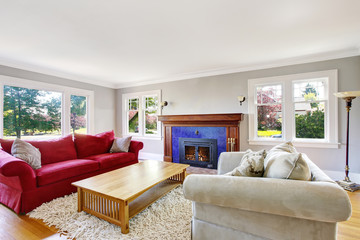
x,y
112,83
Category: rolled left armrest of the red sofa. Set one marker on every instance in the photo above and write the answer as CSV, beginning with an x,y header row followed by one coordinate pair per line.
x,y
11,166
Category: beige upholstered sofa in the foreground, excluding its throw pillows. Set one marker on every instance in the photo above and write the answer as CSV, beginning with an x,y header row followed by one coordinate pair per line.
x,y
229,207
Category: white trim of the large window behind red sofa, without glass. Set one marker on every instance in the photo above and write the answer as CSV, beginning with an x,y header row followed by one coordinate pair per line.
x,y
65,101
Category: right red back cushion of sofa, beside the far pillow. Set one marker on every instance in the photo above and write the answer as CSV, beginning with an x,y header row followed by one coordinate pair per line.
x,y
87,145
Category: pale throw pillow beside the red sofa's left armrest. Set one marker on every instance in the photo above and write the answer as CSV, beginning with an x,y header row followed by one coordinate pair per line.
x,y
27,152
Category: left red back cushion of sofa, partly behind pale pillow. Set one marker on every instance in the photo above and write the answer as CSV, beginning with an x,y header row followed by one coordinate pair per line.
x,y
52,150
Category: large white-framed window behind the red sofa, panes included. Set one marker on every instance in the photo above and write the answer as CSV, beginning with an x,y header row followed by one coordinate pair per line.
x,y
34,110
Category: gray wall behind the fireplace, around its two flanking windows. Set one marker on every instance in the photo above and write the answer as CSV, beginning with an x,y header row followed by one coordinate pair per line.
x,y
218,94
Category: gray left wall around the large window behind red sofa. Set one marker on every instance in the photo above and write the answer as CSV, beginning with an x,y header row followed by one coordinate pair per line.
x,y
104,98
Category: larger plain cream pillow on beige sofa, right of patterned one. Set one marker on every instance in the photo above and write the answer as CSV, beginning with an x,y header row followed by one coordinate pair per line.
x,y
287,165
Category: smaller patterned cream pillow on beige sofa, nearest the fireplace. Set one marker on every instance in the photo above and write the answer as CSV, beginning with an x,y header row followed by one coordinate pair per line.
x,y
251,165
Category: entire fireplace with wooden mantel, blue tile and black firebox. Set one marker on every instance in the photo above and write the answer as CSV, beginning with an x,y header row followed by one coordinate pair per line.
x,y
199,140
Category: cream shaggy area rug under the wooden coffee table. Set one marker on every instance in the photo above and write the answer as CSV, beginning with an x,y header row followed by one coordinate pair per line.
x,y
167,218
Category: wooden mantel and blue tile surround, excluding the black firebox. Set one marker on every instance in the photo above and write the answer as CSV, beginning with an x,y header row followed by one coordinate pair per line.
x,y
222,127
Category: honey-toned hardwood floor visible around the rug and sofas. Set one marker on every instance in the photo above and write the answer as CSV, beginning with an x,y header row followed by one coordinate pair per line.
x,y
14,227
